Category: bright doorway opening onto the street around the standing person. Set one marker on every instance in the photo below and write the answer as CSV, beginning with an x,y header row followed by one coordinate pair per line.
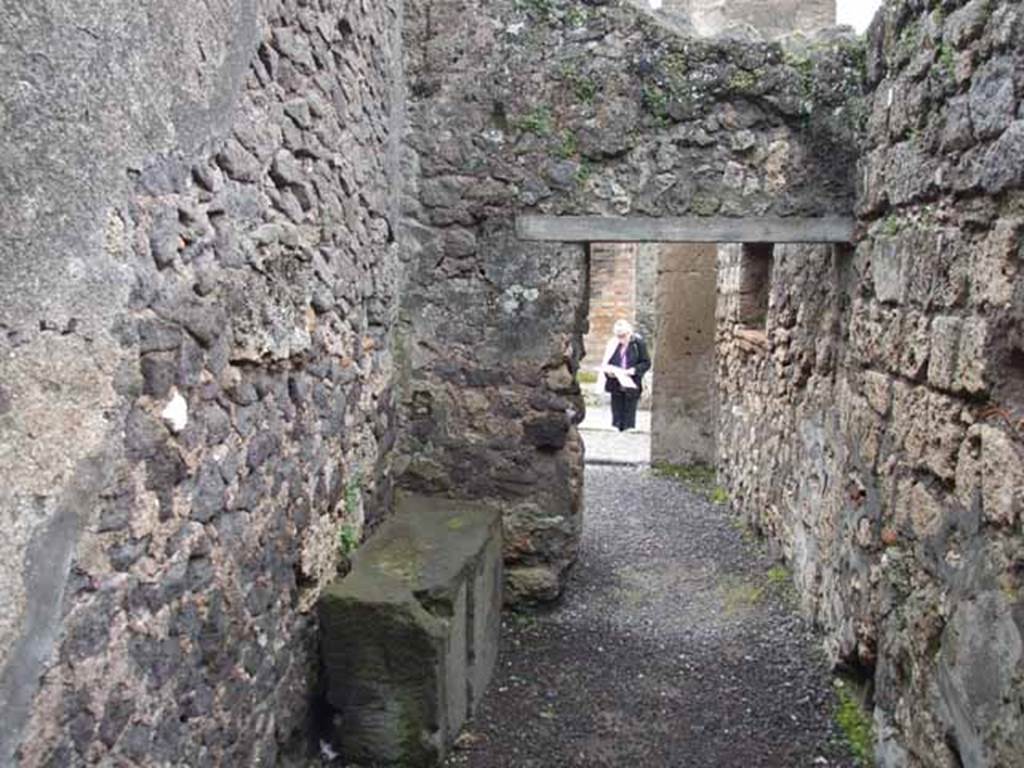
x,y
667,291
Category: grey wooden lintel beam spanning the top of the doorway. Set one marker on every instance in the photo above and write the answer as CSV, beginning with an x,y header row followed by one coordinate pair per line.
x,y
686,230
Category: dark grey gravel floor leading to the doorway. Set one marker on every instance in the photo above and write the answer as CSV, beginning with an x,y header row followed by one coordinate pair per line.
x,y
673,647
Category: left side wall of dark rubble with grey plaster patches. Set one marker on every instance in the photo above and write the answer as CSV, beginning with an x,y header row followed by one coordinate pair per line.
x,y
197,209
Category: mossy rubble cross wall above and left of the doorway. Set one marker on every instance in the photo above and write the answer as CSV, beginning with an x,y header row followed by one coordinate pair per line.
x,y
572,108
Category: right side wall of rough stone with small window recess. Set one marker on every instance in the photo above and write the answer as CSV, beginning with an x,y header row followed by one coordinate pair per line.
x,y
886,402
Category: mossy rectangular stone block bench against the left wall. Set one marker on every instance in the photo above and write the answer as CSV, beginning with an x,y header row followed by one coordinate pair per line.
x,y
409,638
